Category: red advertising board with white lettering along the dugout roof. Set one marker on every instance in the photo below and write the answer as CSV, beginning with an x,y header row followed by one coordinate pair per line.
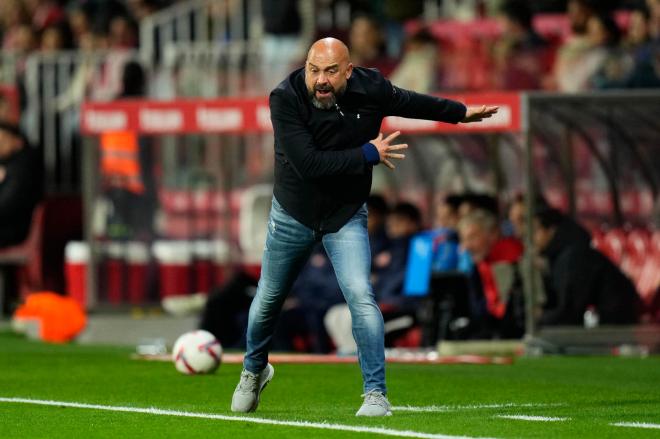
x,y
252,115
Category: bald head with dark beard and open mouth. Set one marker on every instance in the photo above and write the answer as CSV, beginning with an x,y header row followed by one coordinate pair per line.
x,y
327,70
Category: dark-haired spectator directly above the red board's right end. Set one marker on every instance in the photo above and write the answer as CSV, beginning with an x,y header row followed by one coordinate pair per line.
x,y
520,54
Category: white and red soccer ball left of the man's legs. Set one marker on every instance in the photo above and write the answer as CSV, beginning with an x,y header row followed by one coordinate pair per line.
x,y
197,352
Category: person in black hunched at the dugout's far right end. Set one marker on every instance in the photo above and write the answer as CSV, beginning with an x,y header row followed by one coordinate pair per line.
x,y
579,276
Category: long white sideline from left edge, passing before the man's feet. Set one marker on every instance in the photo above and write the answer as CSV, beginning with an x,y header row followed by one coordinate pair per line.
x,y
302,424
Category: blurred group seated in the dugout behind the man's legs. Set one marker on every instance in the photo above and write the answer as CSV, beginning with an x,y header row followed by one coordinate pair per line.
x,y
461,278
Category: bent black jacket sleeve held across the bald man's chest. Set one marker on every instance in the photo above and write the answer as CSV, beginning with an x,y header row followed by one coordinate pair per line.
x,y
296,142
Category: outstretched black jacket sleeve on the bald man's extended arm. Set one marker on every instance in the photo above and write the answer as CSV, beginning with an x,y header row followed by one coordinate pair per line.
x,y
406,103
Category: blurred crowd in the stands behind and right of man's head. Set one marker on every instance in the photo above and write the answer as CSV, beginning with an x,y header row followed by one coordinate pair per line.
x,y
590,45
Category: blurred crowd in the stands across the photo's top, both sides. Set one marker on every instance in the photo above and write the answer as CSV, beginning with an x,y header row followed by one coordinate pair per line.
x,y
609,44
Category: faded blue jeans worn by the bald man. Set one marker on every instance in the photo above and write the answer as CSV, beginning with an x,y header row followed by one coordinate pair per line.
x,y
288,246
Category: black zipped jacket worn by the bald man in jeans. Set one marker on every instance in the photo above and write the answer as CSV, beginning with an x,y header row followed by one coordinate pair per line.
x,y
321,175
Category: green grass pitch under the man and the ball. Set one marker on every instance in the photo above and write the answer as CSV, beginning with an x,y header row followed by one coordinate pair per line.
x,y
589,393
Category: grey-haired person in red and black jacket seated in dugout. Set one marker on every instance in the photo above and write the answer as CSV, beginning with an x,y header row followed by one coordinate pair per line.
x,y
497,306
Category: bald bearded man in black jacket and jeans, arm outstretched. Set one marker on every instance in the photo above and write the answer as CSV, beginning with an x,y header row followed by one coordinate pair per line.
x,y
326,119
